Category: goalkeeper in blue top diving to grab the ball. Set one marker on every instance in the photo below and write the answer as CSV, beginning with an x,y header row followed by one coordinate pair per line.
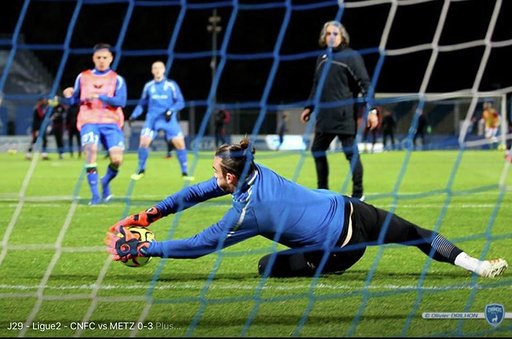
x,y
325,231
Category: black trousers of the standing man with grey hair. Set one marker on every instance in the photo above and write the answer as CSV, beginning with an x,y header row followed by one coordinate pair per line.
x,y
319,147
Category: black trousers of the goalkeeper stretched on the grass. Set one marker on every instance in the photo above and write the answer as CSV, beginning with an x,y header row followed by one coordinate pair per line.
x,y
370,226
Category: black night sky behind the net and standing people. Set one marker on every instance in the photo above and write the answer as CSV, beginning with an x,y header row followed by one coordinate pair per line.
x,y
247,58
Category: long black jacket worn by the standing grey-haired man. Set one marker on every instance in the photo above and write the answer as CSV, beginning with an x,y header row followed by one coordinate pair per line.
x,y
346,78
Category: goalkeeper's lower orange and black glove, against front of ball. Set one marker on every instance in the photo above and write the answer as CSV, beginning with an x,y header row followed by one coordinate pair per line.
x,y
126,246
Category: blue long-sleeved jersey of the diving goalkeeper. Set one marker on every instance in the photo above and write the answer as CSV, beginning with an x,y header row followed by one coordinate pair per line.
x,y
266,204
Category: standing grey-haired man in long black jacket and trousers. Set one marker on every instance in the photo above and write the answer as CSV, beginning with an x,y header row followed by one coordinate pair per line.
x,y
346,77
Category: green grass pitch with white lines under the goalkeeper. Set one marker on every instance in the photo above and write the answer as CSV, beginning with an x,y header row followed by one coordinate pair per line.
x,y
56,278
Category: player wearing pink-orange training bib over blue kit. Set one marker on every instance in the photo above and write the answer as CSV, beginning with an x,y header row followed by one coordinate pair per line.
x,y
101,94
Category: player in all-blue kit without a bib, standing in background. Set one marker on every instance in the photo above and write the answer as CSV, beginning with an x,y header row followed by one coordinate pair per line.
x,y
162,99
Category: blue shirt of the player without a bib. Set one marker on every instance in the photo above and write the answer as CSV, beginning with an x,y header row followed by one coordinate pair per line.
x,y
157,98
